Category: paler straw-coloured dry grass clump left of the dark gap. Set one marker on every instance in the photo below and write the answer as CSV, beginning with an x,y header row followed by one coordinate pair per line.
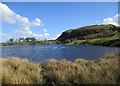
x,y
20,71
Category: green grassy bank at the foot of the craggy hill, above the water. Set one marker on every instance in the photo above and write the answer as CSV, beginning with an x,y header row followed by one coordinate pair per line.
x,y
112,41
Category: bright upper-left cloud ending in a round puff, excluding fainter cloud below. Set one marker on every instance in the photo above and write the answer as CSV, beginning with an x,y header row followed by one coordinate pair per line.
x,y
9,16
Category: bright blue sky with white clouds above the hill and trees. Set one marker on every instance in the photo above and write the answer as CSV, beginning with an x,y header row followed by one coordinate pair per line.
x,y
47,20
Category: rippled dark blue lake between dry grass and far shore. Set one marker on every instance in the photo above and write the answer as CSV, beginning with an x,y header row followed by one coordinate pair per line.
x,y
41,53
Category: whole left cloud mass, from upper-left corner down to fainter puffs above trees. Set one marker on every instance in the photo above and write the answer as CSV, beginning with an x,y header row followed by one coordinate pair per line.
x,y
9,16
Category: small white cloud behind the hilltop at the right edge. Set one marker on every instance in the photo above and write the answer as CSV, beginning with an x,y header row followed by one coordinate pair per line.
x,y
114,20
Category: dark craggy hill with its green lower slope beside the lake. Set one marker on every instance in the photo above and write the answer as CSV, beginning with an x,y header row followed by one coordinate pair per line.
x,y
106,35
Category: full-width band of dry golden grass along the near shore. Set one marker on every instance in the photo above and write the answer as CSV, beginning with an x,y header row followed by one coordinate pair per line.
x,y
20,71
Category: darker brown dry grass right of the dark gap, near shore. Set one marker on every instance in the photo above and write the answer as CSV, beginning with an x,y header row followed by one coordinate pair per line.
x,y
102,71
